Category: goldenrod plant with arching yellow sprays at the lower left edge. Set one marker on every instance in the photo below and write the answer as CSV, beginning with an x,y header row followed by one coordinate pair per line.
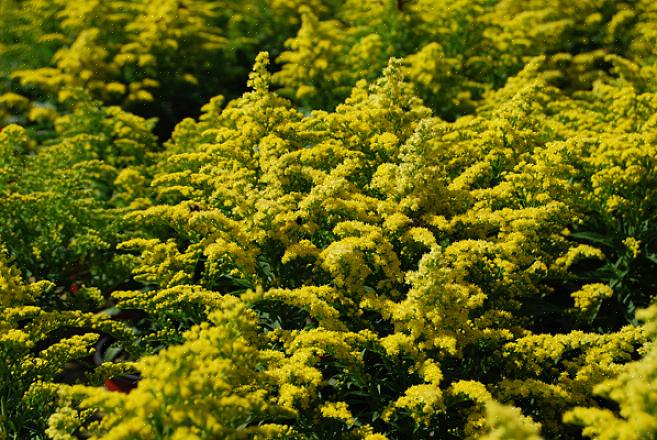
x,y
38,346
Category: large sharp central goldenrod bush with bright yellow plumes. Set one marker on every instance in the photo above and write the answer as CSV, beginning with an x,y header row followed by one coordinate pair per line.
x,y
379,232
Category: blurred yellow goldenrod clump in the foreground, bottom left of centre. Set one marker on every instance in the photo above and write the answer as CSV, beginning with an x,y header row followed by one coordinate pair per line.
x,y
217,371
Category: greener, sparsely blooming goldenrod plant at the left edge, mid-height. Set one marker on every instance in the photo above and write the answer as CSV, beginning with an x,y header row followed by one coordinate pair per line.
x,y
61,210
